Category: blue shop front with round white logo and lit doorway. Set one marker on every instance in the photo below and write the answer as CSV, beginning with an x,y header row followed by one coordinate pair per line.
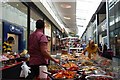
x,y
17,33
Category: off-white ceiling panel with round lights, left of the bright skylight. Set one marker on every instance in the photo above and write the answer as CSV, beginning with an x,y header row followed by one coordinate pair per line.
x,y
67,14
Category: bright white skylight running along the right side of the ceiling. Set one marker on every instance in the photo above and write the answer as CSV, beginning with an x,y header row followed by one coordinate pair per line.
x,y
84,11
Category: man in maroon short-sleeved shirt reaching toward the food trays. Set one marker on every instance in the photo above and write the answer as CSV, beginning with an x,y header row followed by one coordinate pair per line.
x,y
38,50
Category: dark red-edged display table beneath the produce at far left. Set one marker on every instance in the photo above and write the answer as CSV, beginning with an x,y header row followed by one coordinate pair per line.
x,y
11,69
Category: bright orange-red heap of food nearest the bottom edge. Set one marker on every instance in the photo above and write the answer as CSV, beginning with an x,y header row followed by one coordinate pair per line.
x,y
64,74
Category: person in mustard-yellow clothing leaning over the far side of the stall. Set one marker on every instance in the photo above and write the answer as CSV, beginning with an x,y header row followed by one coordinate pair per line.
x,y
92,49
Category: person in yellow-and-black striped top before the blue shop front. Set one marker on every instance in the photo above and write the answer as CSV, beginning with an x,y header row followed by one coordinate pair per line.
x,y
7,45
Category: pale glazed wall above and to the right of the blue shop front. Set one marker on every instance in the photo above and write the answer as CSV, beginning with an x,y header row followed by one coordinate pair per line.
x,y
16,14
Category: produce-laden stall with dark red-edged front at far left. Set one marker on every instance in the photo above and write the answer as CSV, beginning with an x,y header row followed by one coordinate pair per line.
x,y
10,67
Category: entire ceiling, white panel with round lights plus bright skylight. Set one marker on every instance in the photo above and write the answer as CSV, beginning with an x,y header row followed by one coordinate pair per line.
x,y
75,14
